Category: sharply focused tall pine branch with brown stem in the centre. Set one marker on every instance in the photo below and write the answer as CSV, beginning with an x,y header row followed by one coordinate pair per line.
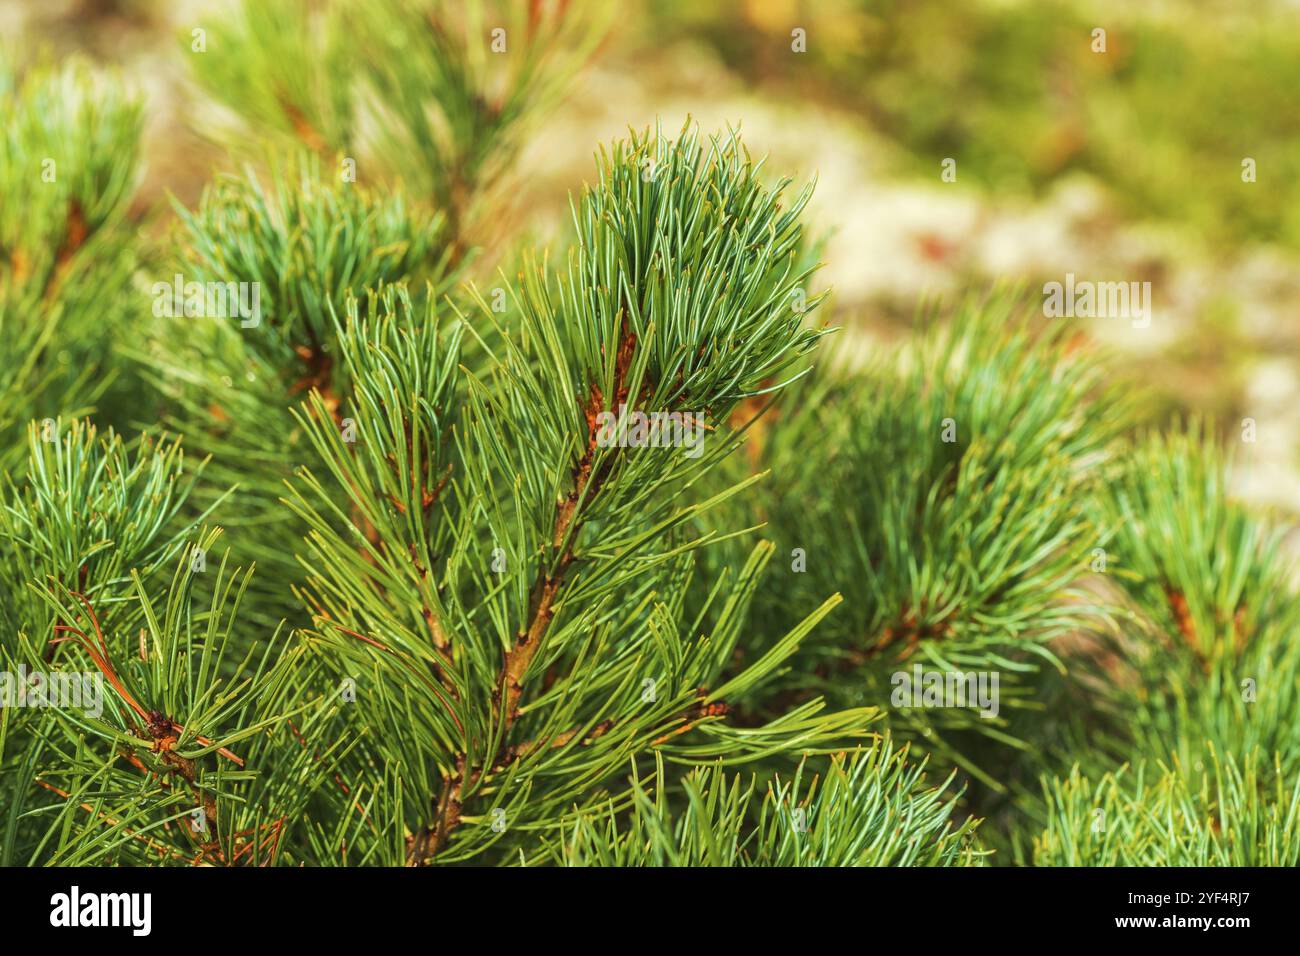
x,y
517,685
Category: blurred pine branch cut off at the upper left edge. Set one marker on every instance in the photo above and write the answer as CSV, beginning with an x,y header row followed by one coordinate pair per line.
x,y
68,168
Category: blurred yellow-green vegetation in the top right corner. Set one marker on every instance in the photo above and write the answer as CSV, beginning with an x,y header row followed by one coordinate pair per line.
x,y
1015,92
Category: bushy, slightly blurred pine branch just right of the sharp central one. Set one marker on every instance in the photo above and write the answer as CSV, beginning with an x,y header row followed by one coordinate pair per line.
x,y
954,488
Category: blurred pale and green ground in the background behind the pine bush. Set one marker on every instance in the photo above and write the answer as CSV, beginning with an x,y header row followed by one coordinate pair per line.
x,y
1113,165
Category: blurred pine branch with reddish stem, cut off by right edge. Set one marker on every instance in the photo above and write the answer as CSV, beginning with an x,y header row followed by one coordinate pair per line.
x,y
1203,660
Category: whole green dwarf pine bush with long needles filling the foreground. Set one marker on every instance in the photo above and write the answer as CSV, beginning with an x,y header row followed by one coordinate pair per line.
x,y
612,561
